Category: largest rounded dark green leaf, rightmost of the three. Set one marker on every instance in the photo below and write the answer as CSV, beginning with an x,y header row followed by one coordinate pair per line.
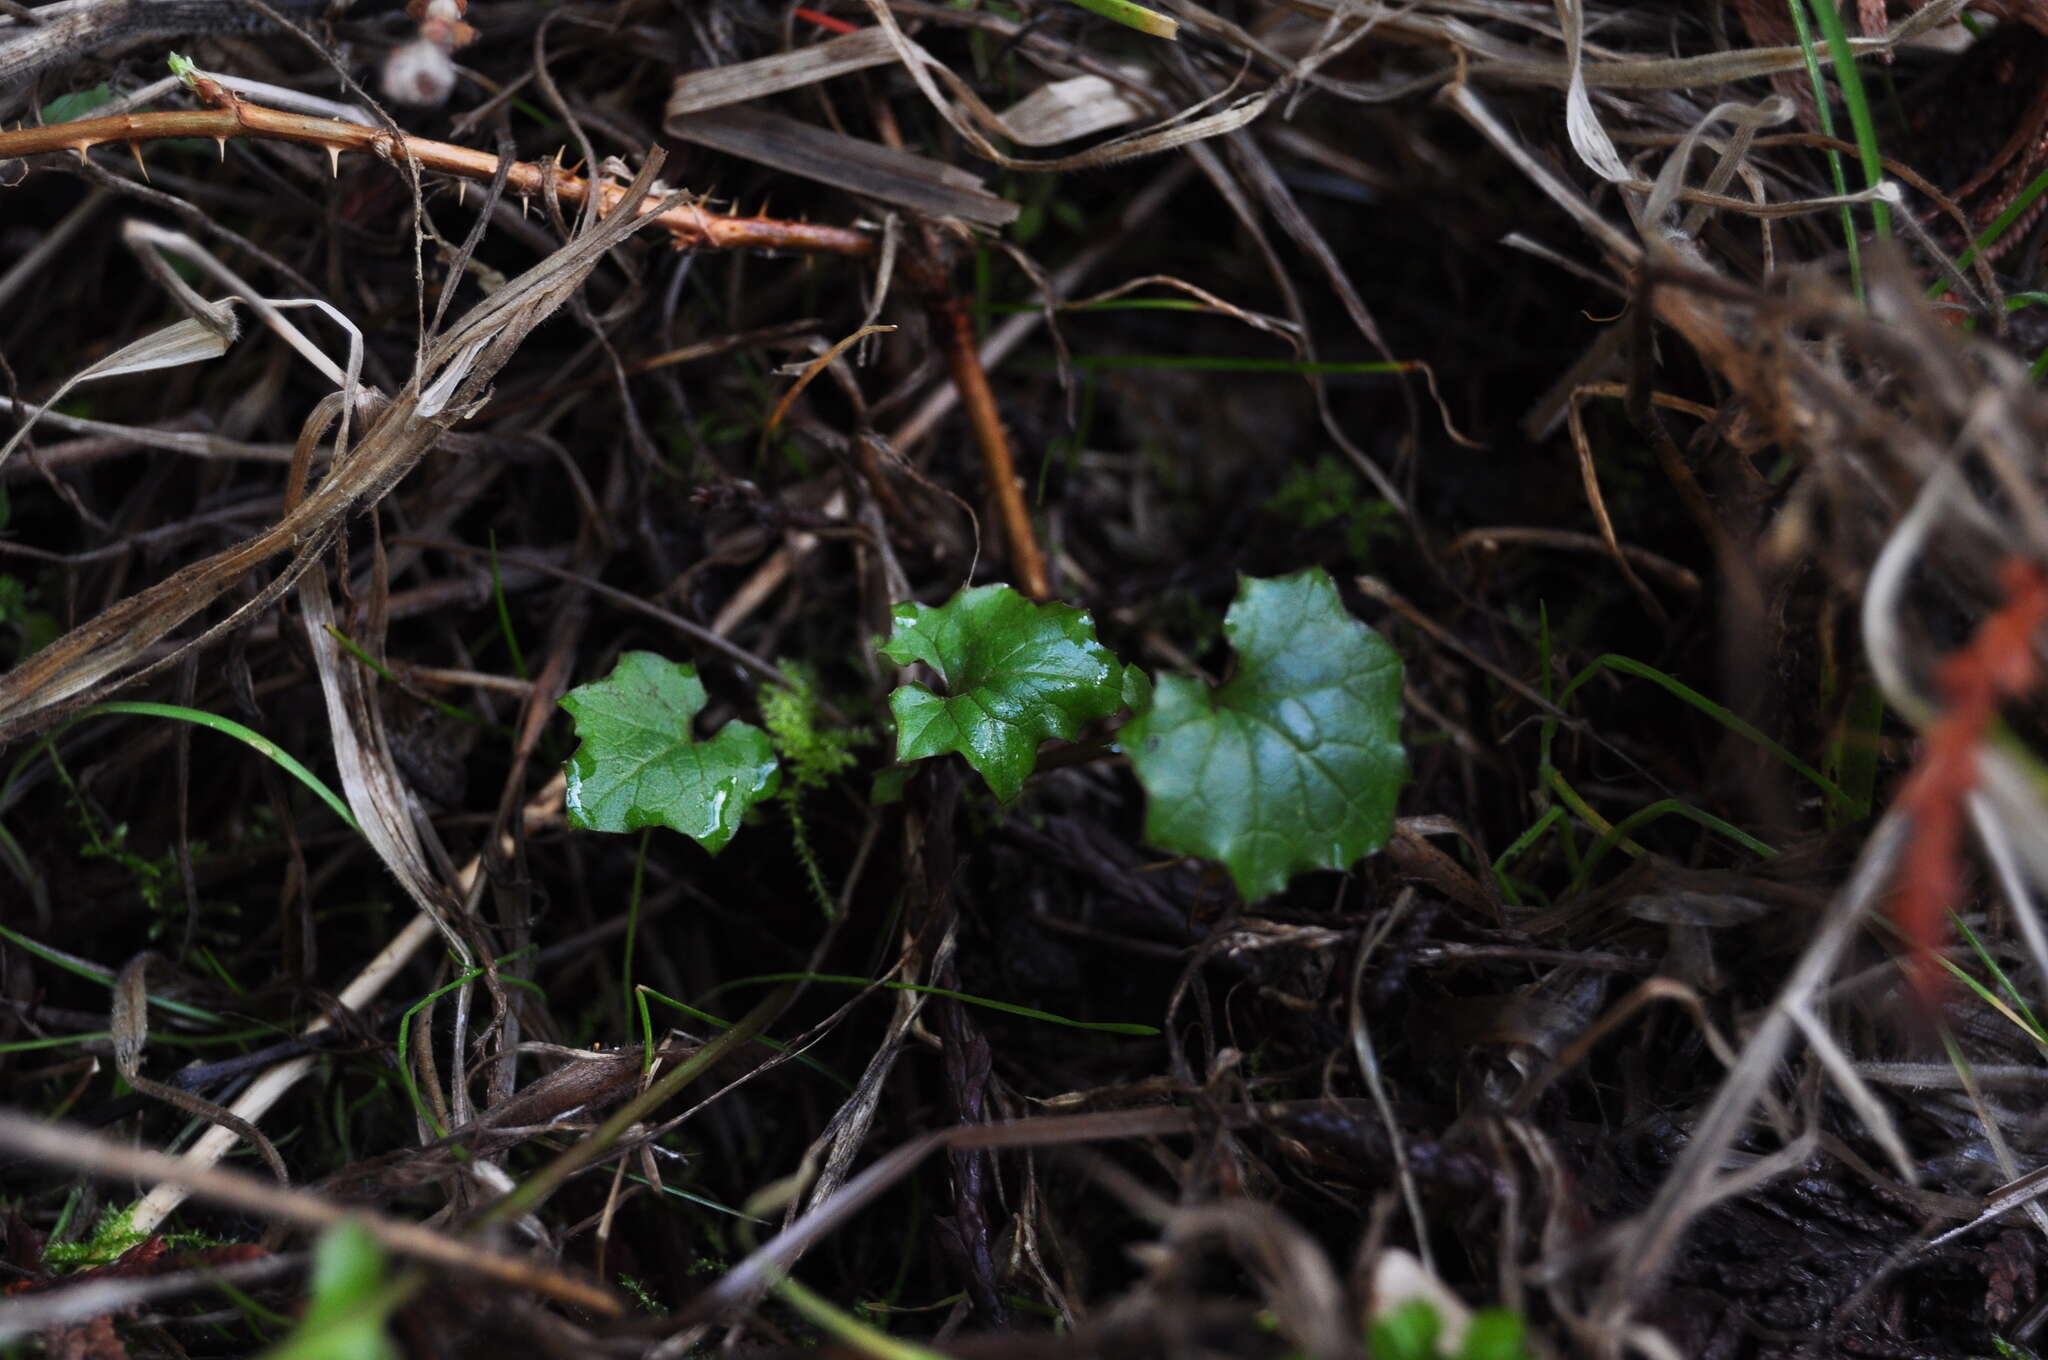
x,y
1295,763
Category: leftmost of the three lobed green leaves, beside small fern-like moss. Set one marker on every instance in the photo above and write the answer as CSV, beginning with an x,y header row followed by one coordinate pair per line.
x,y
640,763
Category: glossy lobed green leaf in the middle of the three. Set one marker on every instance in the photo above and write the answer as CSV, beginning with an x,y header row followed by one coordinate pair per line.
x,y
1017,675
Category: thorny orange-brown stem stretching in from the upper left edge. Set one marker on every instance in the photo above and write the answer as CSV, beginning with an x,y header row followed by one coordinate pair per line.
x,y
226,118
